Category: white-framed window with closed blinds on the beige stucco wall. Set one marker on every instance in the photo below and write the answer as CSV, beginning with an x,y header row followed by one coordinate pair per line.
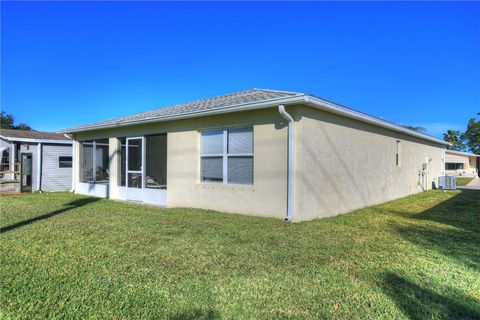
x,y
226,156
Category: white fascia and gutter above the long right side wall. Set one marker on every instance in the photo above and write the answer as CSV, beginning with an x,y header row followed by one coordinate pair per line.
x,y
349,113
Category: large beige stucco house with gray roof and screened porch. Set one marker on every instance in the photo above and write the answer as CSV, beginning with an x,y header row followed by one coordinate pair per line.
x,y
256,152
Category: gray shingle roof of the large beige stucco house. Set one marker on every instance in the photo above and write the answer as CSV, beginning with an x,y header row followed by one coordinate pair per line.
x,y
219,102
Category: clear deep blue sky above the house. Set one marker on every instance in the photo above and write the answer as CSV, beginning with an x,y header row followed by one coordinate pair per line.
x,y
69,63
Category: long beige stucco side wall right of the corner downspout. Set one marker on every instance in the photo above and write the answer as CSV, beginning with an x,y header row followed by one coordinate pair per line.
x,y
344,165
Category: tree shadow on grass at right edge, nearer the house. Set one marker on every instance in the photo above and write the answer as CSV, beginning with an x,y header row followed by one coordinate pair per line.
x,y
455,231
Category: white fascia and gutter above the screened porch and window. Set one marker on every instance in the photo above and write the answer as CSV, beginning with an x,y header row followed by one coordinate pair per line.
x,y
195,114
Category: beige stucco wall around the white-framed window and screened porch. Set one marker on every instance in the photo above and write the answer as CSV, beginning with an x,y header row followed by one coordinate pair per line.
x,y
267,196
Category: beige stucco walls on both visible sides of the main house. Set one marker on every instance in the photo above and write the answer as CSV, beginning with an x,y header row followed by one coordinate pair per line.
x,y
340,164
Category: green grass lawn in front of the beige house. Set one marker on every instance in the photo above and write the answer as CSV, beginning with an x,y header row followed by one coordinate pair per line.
x,y
67,256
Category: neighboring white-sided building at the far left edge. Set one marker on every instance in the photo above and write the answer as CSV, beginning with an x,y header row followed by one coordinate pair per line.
x,y
34,161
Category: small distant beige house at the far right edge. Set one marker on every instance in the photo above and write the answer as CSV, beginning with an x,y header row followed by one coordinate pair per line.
x,y
459,163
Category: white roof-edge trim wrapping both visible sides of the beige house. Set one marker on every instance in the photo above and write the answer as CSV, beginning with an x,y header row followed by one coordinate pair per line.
x,y
300,98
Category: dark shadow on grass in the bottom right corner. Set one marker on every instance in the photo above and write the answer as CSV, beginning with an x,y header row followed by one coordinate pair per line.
x,y
420,303
